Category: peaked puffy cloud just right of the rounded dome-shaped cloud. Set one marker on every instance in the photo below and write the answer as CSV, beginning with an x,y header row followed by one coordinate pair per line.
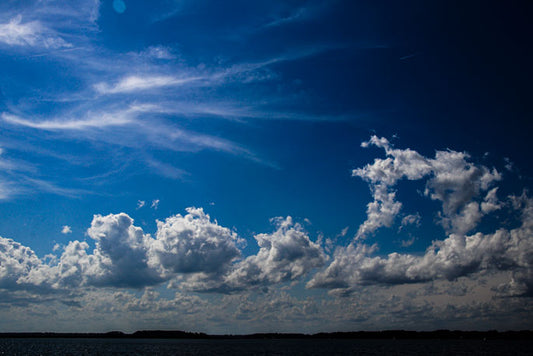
x,y
284,255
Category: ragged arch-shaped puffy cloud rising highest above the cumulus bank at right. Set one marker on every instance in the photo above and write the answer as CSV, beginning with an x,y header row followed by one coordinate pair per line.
x,y
453,180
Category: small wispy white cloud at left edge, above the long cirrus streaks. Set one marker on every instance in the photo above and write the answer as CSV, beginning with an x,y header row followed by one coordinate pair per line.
x,y
29,34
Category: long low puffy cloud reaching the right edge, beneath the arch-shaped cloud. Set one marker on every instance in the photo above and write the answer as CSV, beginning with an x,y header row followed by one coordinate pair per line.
x,y
456,256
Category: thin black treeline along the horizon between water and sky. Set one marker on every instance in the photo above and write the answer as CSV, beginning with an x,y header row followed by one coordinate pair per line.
x,y
387,334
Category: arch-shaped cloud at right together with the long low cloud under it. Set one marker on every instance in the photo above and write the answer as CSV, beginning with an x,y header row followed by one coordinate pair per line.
x,y
458,184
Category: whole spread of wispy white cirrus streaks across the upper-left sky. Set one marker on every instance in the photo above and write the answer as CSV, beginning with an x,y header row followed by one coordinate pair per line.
x,y
136,100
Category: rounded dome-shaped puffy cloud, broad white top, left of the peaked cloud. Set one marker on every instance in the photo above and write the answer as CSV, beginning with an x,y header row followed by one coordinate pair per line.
x,y
192,243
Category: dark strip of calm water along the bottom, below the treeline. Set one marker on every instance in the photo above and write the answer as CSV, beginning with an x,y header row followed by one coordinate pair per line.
x,y
32,347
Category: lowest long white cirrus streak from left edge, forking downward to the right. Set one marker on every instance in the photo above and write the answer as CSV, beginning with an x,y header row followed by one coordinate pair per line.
x,y
135,127
